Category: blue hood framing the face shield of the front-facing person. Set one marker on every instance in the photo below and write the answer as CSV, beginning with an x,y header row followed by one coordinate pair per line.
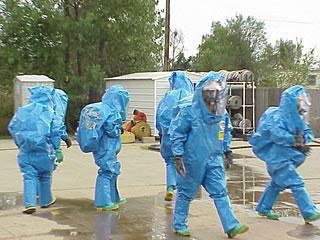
x,y
198,101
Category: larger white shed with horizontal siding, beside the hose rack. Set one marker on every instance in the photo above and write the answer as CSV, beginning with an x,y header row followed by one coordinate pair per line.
x,y
145,91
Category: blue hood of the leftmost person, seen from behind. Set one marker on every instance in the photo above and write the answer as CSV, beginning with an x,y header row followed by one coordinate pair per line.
x,y
42,95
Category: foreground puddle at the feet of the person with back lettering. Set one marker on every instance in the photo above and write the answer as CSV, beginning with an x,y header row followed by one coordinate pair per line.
x,y
139,218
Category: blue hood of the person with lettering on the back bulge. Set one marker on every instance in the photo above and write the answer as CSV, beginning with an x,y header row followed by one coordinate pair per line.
x,y
117,97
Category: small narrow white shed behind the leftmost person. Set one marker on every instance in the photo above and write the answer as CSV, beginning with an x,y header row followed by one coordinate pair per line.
x,y
23,82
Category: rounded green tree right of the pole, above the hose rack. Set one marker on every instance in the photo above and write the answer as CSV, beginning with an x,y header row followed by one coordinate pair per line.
x,y
237,44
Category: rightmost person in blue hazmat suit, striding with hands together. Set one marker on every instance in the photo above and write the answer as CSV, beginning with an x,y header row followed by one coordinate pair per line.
x,y
280,141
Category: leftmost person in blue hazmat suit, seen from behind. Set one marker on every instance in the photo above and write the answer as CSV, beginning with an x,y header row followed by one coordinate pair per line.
x,y
37,130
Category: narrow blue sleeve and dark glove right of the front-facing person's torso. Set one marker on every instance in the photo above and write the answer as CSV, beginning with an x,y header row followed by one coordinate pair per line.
x,y
228,159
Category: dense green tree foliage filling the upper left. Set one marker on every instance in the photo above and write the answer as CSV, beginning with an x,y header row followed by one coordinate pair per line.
x,y
78,42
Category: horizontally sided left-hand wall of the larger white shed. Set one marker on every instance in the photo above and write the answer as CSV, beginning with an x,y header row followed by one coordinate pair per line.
x,y
141,97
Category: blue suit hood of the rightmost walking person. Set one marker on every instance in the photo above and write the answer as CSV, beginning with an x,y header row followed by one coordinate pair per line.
x,y
288,109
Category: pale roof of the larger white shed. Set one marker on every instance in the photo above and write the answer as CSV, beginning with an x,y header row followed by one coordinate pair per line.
x,y
150,76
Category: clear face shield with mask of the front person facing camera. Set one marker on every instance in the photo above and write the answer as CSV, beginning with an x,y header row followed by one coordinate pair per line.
x,y
214,96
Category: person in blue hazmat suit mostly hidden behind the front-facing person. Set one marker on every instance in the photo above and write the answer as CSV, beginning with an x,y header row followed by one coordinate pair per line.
x,y
180,87
